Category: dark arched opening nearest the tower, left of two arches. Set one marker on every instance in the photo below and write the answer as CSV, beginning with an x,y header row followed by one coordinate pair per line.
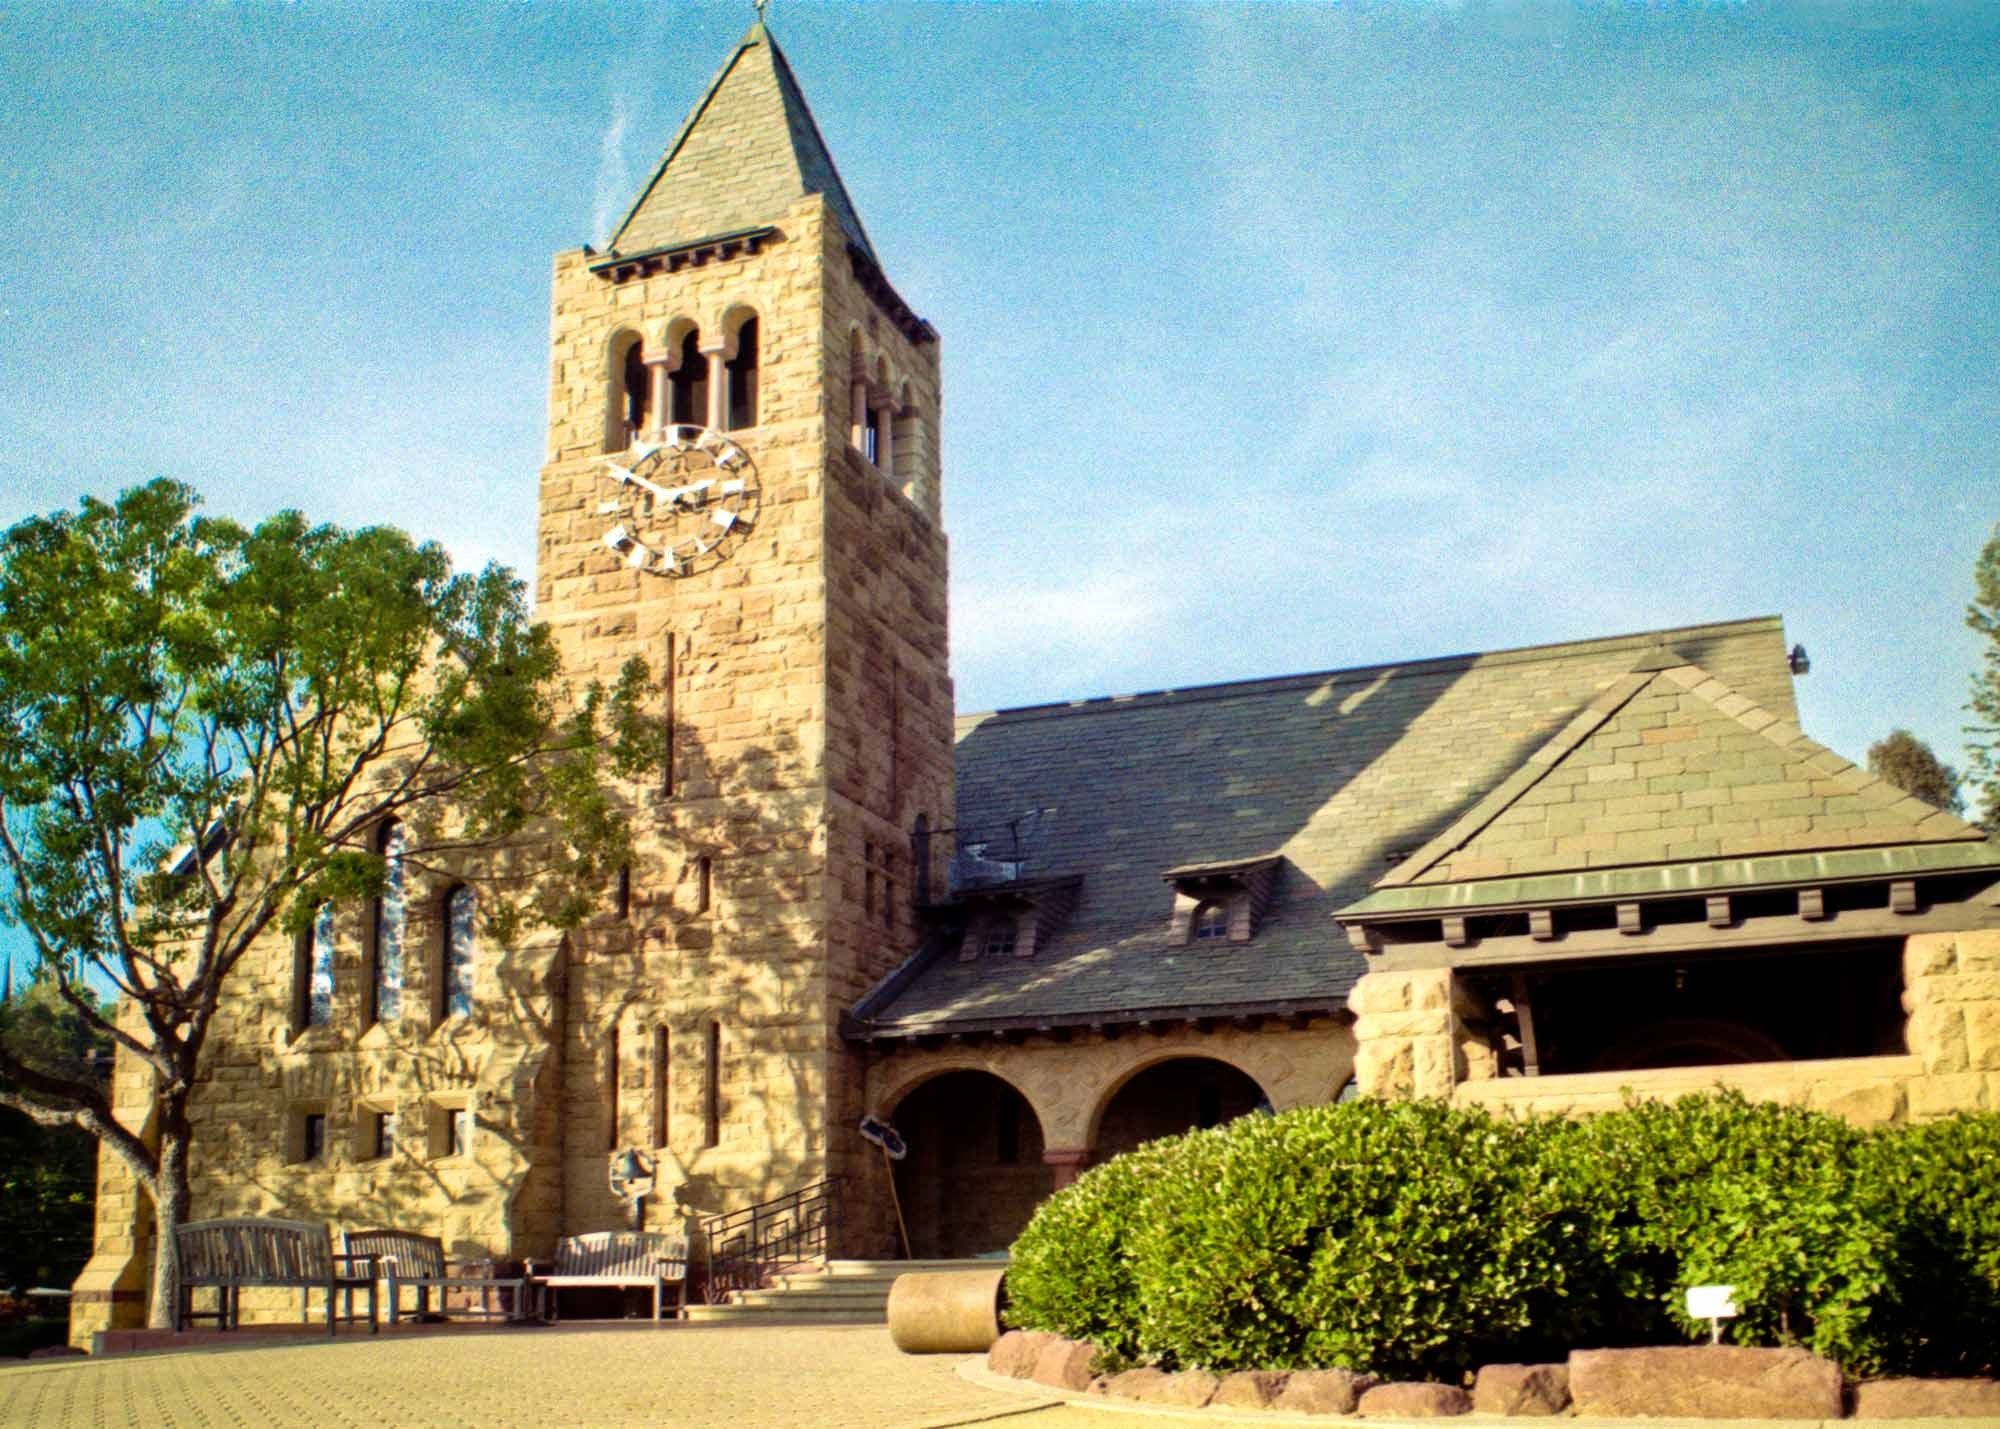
x,y
975,1172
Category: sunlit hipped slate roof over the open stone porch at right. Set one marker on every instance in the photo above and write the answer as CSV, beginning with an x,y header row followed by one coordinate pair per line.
x,y
1671,766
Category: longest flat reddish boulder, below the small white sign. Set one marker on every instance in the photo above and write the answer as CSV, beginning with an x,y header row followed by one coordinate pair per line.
x,y
1705,1382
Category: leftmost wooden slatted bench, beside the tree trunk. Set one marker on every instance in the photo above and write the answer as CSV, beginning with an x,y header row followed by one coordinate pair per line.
x,y
229,1256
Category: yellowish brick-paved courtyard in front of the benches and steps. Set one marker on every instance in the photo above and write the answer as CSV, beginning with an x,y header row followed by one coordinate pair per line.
x,y
725,1378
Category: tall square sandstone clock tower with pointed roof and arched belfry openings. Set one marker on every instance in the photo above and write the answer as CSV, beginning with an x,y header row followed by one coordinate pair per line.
x,y
743,489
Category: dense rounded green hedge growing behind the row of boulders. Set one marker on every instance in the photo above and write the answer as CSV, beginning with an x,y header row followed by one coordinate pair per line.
x,y
1419,1240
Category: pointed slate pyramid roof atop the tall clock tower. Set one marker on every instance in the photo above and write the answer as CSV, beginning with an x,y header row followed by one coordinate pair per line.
x,y
743,157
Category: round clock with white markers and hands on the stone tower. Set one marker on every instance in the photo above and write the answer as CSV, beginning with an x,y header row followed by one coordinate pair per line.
x,y
681,505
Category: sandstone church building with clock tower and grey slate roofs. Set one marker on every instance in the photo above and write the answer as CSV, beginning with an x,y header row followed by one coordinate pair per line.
x,y
1525,880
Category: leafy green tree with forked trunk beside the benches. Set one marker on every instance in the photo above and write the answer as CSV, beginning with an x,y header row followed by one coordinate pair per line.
x,y
205,728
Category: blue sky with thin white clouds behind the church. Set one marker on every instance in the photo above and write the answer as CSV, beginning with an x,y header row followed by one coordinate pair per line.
x,y
1277,337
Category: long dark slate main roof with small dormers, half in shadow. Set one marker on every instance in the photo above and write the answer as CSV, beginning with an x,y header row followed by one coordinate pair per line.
x,y
1335,774
